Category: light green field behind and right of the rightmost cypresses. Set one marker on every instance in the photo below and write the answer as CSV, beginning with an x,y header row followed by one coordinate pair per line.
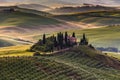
x,y
104,37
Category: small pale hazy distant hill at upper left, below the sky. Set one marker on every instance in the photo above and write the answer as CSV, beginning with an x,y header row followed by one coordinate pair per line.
x,y
34,6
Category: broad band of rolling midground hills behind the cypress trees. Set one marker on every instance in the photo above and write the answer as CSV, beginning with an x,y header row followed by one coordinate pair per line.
x,y
29,25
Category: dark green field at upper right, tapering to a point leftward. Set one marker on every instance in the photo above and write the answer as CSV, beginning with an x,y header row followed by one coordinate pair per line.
x,y
97,18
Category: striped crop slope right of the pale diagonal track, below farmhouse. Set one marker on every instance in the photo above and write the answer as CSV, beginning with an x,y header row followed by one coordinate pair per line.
x,y
79,60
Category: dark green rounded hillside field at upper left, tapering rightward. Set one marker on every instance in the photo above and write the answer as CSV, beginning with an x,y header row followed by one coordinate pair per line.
x,y
22,19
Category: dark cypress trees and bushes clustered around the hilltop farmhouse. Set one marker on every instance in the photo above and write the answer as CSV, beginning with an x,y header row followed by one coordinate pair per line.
x,y
61,41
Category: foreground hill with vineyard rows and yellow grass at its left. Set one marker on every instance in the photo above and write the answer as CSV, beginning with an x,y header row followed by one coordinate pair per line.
x,y
82,63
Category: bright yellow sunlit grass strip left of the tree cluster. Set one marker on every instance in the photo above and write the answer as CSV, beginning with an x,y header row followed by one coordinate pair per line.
x,y
15,51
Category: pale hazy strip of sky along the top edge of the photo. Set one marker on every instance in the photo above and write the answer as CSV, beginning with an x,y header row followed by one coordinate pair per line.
x,y
62,2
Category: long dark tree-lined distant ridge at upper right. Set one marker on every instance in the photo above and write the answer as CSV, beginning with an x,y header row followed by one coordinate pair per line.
x,y
86,8
